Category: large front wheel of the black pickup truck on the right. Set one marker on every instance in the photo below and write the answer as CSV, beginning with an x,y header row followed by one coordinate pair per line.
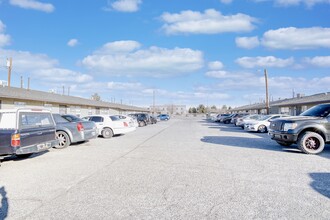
x,y
311,143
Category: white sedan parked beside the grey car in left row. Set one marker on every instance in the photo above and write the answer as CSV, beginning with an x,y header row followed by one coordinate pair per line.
x,y
109,125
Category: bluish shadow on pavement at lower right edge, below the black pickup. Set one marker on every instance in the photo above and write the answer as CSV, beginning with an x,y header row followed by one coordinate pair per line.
x,y
321,183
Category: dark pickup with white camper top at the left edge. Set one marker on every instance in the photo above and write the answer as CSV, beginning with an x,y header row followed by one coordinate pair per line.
x,y
26,131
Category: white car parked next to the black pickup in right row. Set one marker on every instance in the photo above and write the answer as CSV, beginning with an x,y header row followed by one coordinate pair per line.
x,y
261,124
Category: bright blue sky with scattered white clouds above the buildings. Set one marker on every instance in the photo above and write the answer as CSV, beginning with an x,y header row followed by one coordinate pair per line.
x,y
184,52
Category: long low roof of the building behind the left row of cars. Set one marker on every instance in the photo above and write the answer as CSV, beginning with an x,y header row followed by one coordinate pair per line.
x,y
34,95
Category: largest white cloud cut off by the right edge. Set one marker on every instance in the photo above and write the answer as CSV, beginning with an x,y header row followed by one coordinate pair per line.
x,y
297,38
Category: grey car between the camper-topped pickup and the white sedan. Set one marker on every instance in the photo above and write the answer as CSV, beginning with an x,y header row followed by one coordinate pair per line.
x,y
68,132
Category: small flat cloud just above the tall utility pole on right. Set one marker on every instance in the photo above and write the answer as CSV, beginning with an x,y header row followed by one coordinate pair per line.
x,y
263,62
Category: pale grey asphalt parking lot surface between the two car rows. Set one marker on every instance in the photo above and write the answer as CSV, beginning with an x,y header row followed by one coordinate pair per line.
x,y
184,168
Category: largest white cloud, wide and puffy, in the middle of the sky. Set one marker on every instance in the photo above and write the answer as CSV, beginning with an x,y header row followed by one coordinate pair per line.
x,y
154,61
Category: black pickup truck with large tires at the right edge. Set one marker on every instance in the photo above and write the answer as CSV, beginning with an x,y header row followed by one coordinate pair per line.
x,y
310,130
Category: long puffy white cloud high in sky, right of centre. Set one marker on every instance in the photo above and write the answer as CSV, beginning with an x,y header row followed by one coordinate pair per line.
x,y
209,22
